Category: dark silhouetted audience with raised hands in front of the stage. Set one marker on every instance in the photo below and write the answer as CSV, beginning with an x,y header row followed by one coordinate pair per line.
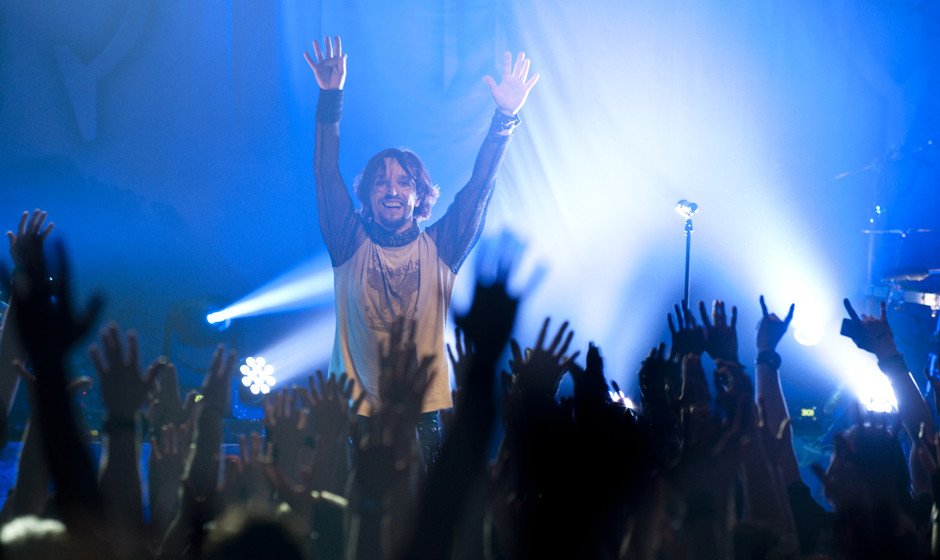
x,y
704,468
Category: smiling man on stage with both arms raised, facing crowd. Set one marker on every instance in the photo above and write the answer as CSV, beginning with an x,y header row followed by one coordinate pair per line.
x,y
385,267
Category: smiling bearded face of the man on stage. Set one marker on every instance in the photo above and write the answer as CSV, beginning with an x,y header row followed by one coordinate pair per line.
x,y
393,197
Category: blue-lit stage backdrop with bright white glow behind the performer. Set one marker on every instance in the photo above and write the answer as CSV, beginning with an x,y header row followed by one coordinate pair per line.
x,y
171,142
